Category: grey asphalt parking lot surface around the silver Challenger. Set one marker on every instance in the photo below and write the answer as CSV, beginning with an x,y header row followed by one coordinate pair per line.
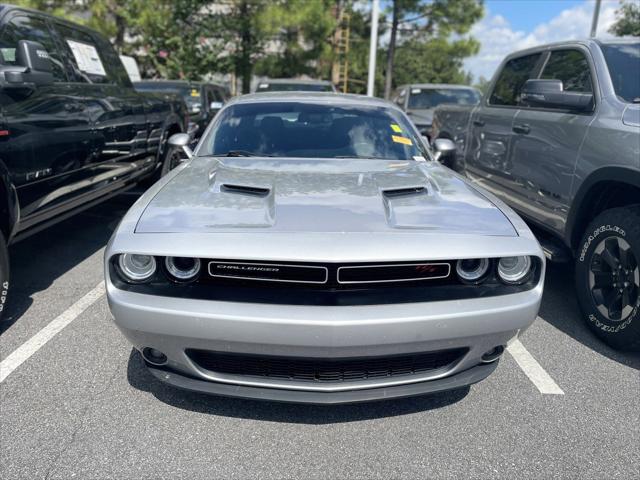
x,y
79,403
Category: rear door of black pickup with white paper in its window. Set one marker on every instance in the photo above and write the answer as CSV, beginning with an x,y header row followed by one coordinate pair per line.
x,y
116,110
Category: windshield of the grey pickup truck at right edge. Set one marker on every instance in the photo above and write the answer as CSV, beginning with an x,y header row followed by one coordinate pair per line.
x,y
623,60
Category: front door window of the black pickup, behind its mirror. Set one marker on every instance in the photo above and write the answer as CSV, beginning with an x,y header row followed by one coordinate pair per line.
x,y
23,27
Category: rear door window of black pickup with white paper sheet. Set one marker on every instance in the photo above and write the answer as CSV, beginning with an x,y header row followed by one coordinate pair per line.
x,y
93,62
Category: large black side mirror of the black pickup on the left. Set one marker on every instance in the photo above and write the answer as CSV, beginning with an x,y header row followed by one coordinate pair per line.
x,y
33,67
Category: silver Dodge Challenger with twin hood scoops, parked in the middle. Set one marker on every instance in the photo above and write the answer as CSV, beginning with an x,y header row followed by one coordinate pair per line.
x,y
312,250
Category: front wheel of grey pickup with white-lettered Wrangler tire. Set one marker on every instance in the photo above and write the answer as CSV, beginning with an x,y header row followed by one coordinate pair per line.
x,y
608,277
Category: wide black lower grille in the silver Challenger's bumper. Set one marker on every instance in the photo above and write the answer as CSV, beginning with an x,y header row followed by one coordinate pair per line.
x,y
323,370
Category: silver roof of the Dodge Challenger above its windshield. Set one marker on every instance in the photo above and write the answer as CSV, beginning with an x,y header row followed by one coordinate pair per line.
x,y
327,98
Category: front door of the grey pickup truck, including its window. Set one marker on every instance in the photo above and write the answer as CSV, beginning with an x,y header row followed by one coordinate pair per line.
x,y
546,143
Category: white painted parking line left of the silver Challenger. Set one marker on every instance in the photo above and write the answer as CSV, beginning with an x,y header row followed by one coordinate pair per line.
x,y
31,346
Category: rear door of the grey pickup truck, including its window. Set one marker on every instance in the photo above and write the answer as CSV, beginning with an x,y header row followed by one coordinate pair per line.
x,y
488,158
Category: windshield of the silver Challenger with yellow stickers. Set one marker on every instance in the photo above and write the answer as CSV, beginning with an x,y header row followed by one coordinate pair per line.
x,y
296,129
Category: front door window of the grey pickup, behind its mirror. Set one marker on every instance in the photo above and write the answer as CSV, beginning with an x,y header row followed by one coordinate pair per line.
x,y
570,66
